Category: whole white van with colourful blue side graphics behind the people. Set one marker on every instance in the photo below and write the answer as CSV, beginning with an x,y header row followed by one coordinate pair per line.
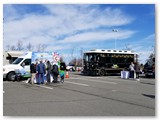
x,y
22,63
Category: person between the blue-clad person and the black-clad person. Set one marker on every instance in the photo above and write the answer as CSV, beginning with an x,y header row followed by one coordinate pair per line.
x,y
48,71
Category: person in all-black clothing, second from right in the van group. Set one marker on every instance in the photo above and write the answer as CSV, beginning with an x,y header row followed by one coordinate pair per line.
x,y
55,73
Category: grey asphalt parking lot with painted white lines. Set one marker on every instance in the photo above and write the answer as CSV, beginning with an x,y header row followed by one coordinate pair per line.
x,y
81,95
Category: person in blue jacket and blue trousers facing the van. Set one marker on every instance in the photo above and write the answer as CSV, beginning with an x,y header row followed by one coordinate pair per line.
x,y
41,71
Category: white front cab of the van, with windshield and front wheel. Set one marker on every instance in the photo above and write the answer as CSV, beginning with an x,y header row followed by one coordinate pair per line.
x,y
22,62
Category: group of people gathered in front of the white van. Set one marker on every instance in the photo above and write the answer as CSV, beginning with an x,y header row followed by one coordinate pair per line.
x,y
40,70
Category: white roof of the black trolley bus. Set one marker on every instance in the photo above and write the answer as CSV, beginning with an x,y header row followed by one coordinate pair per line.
x,y
110,51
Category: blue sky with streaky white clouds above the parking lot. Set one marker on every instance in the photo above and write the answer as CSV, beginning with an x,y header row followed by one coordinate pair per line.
x,y
71,28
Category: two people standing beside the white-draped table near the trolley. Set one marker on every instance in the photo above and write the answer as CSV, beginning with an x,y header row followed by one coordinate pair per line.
x,y
135,69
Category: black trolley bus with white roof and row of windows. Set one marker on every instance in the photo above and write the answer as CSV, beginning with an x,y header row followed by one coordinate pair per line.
x,y
103,62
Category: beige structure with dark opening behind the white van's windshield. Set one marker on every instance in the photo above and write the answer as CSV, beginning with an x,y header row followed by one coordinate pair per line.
x,y
10,56
